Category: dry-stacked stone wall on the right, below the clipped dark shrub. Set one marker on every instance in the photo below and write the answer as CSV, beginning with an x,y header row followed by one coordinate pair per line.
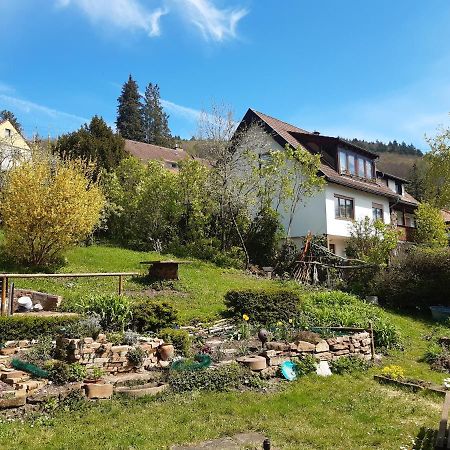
x,y
358,344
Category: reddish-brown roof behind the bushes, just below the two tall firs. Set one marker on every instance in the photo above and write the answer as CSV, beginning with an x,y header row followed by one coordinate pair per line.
x,y
169,157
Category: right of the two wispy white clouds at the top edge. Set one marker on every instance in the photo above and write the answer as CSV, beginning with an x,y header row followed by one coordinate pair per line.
x,y
216,24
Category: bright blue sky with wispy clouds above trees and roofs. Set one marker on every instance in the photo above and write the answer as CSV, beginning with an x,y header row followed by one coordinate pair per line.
x,y
368,69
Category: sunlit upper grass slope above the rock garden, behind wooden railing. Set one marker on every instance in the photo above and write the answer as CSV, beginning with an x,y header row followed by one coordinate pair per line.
x,y
203,284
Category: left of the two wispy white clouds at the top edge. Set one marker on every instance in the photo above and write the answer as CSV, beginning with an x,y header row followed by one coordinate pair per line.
x,y
126,14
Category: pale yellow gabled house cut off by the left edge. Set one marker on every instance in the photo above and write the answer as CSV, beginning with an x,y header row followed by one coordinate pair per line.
x,y
13,147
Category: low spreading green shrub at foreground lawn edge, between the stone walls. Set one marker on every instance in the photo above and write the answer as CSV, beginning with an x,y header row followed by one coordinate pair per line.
x,y
222,378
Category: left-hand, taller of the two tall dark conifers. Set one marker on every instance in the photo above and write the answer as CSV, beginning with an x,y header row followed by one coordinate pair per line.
x,y
129,119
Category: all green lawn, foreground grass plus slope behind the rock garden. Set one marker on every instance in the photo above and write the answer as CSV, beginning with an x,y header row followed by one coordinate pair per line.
x,y
312,413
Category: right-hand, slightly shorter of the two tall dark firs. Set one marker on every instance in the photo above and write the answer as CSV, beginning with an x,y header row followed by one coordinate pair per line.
x,y
156,126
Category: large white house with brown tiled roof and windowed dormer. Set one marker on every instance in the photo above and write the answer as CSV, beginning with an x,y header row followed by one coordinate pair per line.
x,y
355,189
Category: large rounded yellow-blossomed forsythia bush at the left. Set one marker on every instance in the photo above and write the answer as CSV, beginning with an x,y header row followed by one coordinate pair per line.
x,y
46,207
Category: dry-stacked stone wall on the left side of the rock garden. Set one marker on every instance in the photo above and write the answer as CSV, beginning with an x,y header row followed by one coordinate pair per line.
x,y
109,357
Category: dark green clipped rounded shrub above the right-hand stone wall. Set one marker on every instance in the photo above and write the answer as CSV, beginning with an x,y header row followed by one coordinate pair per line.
x,y
263,306
